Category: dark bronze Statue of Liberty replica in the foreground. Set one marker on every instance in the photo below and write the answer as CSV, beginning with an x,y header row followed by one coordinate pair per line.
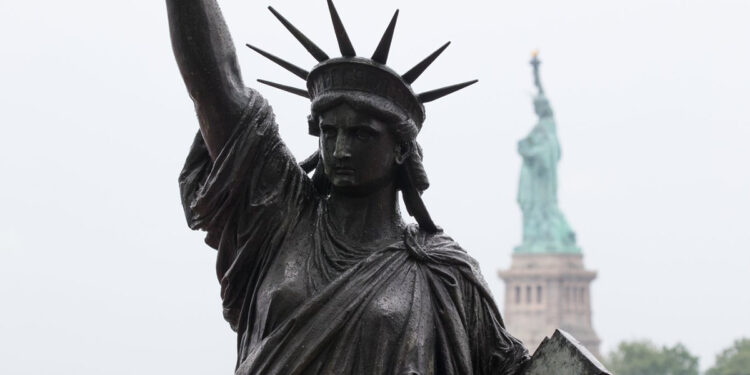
x,y
319,273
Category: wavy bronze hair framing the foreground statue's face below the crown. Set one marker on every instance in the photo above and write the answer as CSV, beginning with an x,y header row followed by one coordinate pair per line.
x,y
403,129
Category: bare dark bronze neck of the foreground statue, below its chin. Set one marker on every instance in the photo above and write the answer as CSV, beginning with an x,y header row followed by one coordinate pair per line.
x,y
367,219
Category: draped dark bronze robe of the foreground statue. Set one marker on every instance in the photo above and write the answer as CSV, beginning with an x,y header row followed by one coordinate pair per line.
x,y
305,301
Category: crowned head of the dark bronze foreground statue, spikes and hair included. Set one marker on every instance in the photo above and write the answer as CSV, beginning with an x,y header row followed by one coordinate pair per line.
x,y
366,115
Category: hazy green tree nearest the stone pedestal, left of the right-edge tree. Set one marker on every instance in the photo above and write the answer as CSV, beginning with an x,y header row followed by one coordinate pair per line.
x,y
645,358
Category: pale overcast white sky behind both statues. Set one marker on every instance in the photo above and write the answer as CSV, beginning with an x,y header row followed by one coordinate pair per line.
x,y
100,275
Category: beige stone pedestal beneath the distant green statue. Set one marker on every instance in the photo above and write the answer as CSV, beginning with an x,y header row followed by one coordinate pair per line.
x,y
544,292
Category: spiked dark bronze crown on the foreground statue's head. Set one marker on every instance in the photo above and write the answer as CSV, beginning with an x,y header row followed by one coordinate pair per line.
x,y
352,73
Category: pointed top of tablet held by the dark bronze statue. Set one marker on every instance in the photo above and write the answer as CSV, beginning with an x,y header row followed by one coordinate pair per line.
x,y
564,355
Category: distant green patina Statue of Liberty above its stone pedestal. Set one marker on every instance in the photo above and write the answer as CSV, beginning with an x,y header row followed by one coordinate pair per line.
x,y
545,229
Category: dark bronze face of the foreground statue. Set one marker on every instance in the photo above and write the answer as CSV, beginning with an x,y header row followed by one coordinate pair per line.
x,y
358,150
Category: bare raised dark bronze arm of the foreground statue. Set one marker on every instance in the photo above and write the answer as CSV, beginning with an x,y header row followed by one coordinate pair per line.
x,y
208,63
